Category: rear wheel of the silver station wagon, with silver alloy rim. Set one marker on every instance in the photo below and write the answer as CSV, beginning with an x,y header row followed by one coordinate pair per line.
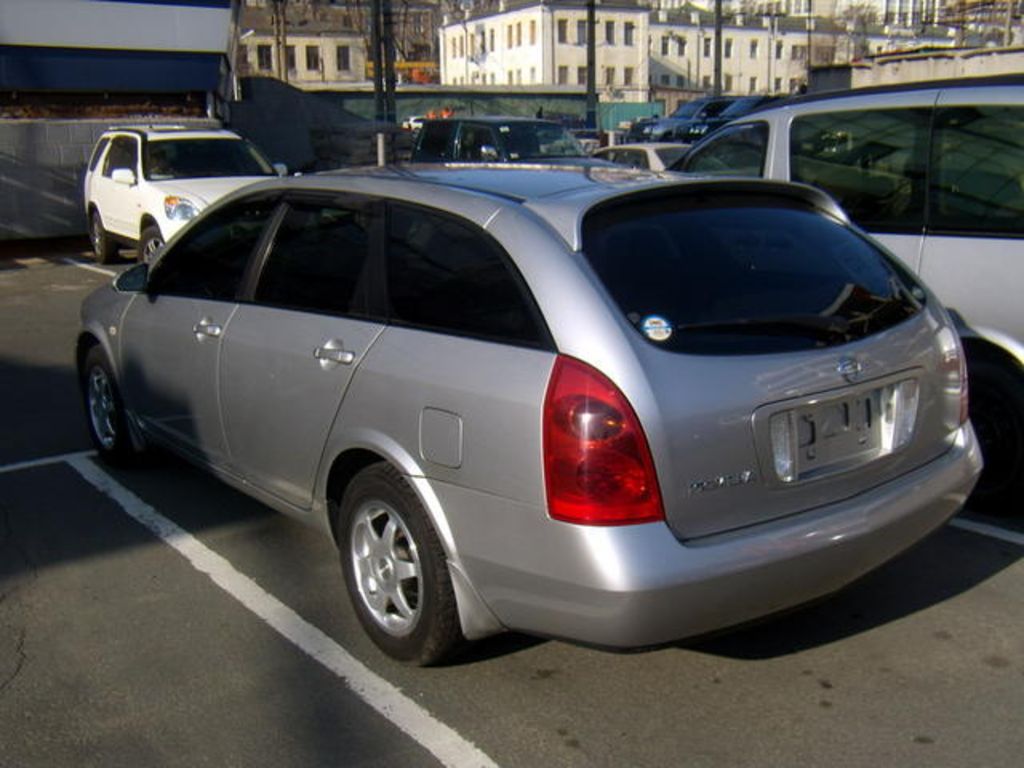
x,y
396,570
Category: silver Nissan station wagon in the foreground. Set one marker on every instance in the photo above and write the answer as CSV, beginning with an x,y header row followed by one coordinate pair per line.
x,y
602,405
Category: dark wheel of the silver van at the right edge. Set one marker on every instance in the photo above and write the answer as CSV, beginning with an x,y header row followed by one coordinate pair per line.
x,y
997,405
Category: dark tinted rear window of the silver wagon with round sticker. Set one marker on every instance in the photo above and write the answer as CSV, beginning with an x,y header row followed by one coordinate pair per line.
x,y
732,274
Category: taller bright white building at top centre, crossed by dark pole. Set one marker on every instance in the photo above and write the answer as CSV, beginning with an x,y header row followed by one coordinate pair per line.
x,y
545,45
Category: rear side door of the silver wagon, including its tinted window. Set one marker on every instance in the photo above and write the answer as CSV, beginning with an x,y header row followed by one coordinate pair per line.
x,y
292,350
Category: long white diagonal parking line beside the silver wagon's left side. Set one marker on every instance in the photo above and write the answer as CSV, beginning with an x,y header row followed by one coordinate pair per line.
x,y
444,743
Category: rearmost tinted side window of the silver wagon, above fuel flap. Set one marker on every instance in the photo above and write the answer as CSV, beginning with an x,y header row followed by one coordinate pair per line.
x,y
447,276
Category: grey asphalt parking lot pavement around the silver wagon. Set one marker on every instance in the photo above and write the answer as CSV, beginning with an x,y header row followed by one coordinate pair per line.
x,y
154,617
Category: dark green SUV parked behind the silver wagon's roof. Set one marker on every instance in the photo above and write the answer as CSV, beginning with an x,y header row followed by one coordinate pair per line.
x,y
497,140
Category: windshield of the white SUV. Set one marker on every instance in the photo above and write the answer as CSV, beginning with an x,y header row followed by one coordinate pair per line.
x,y
202,158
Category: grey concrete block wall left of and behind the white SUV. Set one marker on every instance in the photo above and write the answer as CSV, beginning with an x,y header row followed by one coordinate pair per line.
x,y
42,169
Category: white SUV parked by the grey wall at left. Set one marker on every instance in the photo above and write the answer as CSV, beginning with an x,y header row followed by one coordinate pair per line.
x,y
145,183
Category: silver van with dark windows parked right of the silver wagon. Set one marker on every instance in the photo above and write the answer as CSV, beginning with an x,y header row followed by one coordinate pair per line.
x,y
936,173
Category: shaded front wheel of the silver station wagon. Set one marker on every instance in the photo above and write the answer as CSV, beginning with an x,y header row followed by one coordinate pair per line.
x,y
105,413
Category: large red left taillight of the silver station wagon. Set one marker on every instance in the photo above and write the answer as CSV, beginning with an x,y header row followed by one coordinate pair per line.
x,y
598,465
